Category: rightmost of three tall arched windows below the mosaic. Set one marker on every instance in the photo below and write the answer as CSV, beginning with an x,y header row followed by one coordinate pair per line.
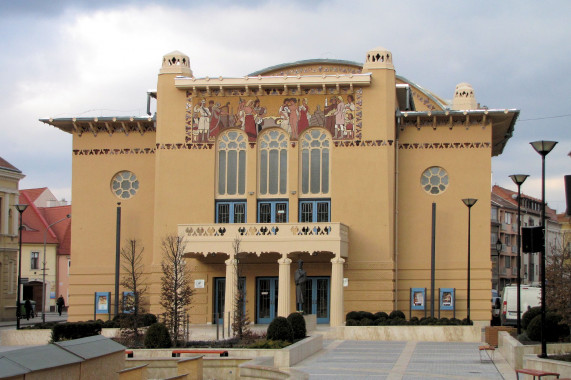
x,y
315,158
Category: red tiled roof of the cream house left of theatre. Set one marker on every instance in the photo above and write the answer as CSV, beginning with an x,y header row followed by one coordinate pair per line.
x,y
37,219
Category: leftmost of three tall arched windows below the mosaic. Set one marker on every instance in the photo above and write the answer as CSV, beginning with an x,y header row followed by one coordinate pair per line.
x,y
232,163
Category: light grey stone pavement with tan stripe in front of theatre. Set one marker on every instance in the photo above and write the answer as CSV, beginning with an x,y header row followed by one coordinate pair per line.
x,y
403,360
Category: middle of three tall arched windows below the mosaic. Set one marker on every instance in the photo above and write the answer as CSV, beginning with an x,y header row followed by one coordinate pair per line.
x,y
273,162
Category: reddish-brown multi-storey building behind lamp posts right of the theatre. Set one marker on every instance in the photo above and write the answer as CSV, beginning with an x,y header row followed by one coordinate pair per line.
x,y
504,226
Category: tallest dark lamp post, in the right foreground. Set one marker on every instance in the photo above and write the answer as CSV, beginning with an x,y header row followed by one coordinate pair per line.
x,y
543,148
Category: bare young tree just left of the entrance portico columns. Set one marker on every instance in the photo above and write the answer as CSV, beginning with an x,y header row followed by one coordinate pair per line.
x,y
176,291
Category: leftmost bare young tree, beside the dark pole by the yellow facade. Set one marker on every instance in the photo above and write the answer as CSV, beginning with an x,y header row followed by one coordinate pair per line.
x,y
133,280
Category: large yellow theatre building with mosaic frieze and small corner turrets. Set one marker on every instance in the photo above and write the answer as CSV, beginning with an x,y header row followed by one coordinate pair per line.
x,y
335,163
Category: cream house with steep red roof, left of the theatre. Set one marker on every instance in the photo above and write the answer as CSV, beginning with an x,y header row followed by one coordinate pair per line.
x,y
57,248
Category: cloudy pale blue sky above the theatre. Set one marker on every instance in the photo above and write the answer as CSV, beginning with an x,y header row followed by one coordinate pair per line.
x,y
99,58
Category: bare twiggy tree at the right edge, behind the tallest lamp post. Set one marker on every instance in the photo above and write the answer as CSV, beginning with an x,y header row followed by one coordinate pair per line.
x,y
558,280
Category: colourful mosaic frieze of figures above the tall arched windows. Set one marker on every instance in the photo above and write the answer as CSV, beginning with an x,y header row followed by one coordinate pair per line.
x,y
339,112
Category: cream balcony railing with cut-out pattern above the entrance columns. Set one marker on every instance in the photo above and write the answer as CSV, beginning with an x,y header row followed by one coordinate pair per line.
x,y
266,237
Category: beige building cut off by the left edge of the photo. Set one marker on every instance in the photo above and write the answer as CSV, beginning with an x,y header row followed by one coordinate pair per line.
x,y
10,178
